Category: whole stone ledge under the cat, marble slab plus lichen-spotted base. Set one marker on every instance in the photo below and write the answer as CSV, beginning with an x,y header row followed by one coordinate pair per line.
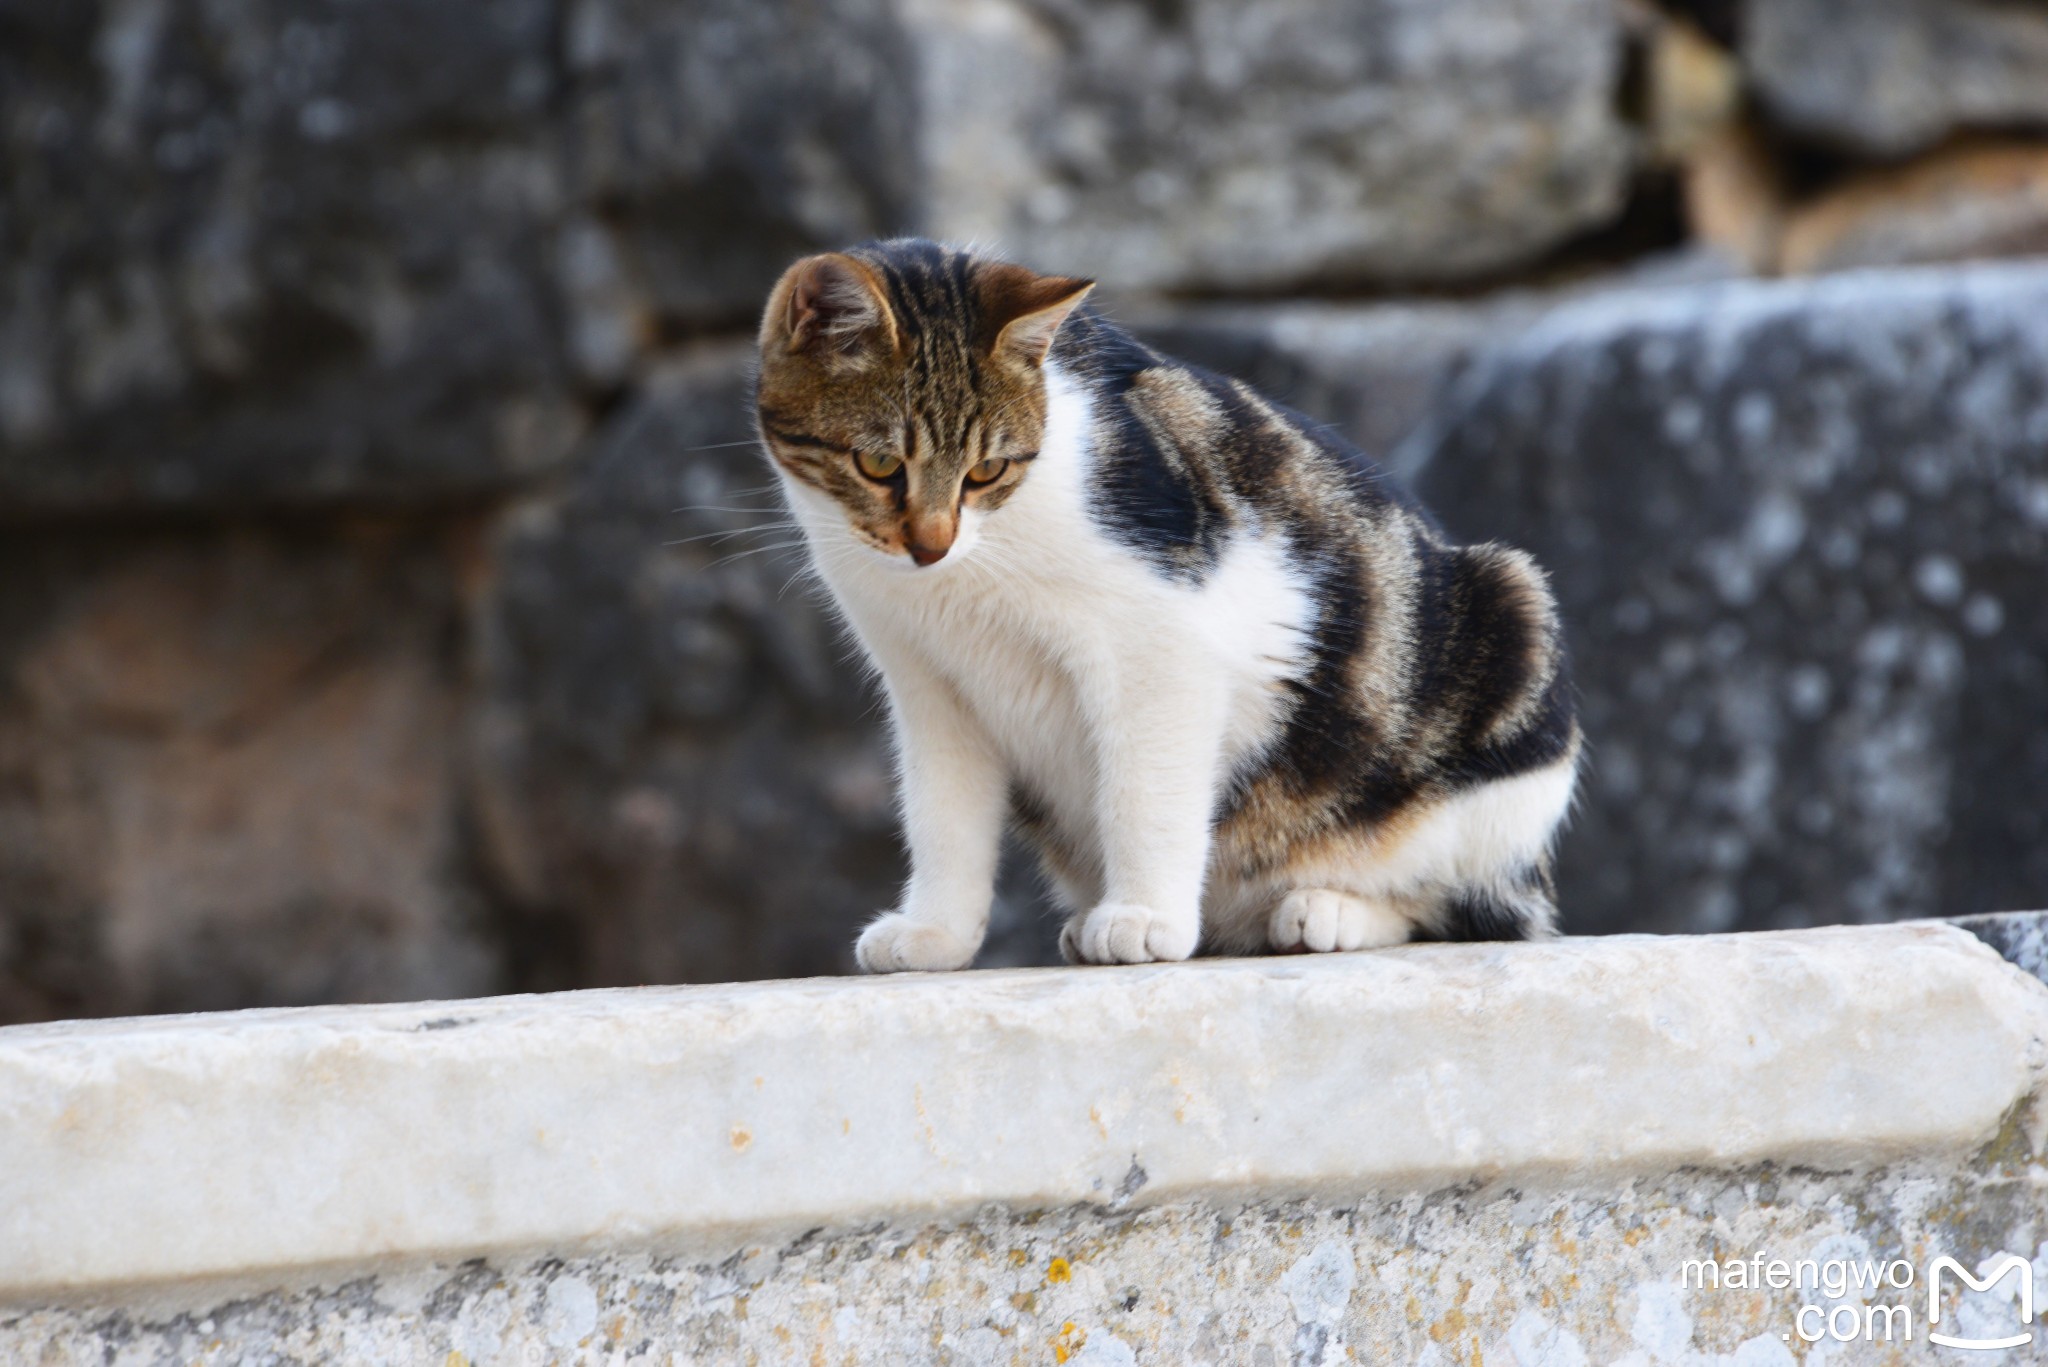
x,y
1400,1095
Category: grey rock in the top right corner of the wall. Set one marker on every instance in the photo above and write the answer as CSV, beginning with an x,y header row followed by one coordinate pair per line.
x,y
1889,77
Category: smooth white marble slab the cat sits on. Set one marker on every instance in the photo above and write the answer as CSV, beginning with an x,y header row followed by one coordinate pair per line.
x,y
253,1143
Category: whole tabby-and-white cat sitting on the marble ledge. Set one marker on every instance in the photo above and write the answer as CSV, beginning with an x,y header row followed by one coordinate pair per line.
x,y
1236,690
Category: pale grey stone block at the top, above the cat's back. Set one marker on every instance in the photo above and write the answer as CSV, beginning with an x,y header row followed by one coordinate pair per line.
x,y
1252,147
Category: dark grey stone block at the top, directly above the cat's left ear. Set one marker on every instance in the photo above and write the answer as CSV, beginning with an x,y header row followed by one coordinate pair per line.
x,y
728,138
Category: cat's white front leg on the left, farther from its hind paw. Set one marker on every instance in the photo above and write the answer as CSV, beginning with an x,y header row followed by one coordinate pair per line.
x,y
953,796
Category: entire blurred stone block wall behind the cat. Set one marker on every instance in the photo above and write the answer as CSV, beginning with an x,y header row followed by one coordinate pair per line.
x,y
392,602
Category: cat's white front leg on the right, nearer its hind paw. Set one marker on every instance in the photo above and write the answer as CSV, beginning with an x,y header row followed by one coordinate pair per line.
x,y
1160,741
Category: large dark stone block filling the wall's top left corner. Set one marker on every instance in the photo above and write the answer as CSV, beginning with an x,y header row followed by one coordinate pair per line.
x,y
278,253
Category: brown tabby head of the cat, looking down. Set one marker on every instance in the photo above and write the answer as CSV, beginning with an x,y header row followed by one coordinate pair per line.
x,y
904,382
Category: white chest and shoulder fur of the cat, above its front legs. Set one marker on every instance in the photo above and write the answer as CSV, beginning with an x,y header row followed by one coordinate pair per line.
x,y
1041,620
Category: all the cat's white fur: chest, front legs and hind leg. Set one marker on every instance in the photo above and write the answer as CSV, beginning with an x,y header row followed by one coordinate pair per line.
x,y
1046,653
